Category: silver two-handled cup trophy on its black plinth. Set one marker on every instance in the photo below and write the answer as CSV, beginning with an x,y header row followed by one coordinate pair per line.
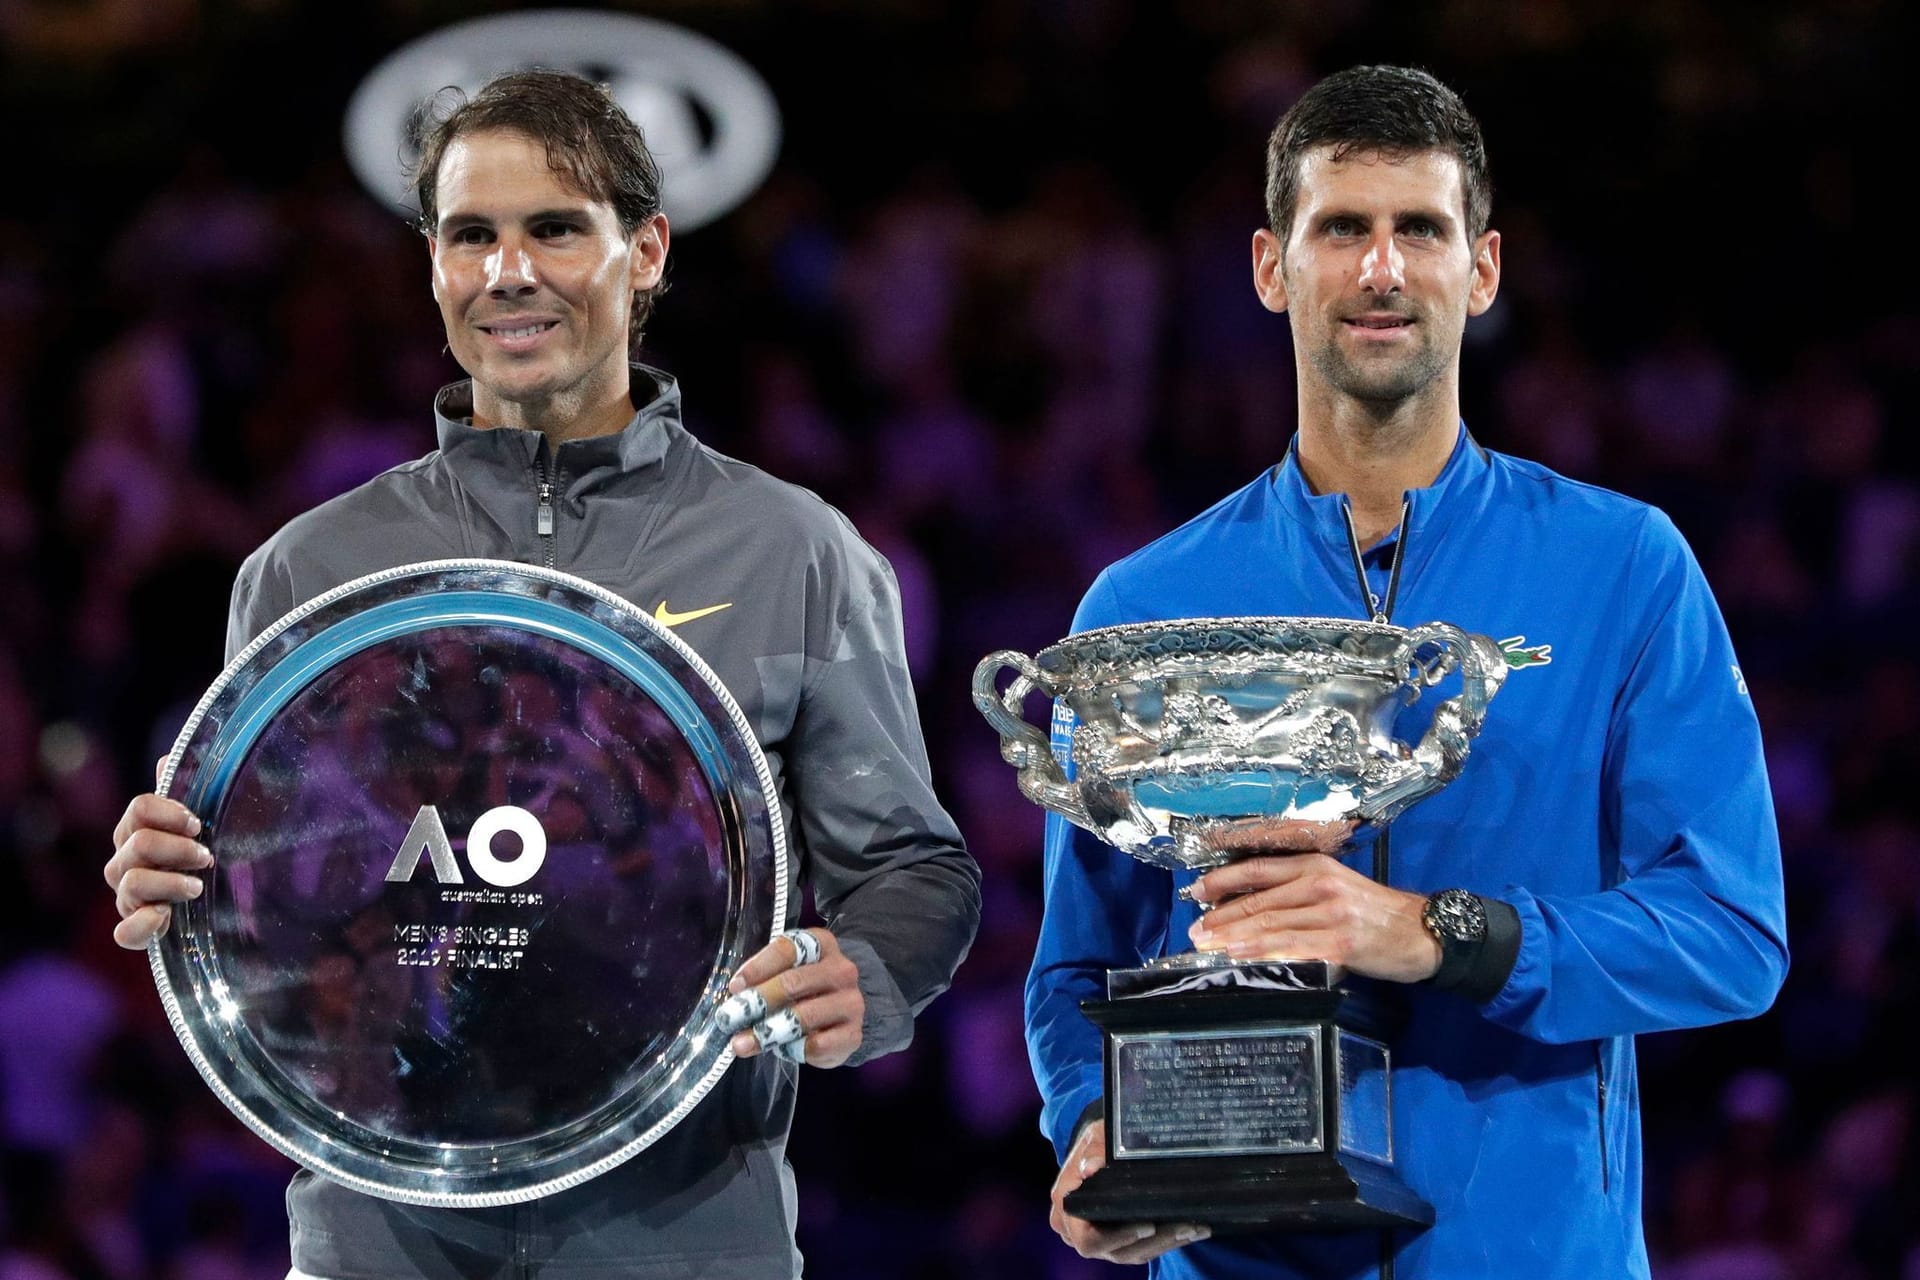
x,y
1243,1095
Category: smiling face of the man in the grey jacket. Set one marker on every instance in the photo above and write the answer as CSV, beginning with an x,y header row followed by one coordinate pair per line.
x,y
537,287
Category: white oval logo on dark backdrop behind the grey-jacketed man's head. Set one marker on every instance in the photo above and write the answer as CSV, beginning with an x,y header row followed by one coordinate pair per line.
x,y
709,118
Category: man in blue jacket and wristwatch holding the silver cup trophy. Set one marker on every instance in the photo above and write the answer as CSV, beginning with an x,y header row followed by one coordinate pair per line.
x,y
1610,847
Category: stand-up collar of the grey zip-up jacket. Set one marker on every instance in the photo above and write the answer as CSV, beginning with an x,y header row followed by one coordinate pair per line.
x,y
483,458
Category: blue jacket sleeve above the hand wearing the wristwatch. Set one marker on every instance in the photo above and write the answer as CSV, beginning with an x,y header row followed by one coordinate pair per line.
x,y
1694,928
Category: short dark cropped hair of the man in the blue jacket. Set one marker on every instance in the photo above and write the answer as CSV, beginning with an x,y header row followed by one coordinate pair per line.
x,y
1389,110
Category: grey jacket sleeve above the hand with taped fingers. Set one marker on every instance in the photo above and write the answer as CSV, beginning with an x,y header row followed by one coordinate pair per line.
x,y
890,872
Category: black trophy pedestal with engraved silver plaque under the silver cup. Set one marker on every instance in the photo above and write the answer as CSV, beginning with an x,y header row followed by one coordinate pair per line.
x,y
1247,1097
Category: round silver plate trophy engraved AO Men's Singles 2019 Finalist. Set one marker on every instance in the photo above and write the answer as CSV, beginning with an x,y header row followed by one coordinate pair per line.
x,y
489,843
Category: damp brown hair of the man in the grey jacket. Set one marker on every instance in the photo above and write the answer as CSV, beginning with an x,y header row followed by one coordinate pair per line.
x,y
590,143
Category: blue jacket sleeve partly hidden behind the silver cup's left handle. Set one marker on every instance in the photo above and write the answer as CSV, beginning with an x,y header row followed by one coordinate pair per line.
x,y
1105,911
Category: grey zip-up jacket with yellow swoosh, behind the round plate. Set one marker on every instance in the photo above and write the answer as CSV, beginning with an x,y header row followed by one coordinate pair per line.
x,y
809,646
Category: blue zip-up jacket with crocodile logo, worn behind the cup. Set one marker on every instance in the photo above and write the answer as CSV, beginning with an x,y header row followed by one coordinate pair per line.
x,y
1616,799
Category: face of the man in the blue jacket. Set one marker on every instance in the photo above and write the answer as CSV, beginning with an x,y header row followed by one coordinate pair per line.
x,y
1380,273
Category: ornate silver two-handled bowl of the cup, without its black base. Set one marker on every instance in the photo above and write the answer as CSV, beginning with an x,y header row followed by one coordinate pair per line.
x,y
1209,738
